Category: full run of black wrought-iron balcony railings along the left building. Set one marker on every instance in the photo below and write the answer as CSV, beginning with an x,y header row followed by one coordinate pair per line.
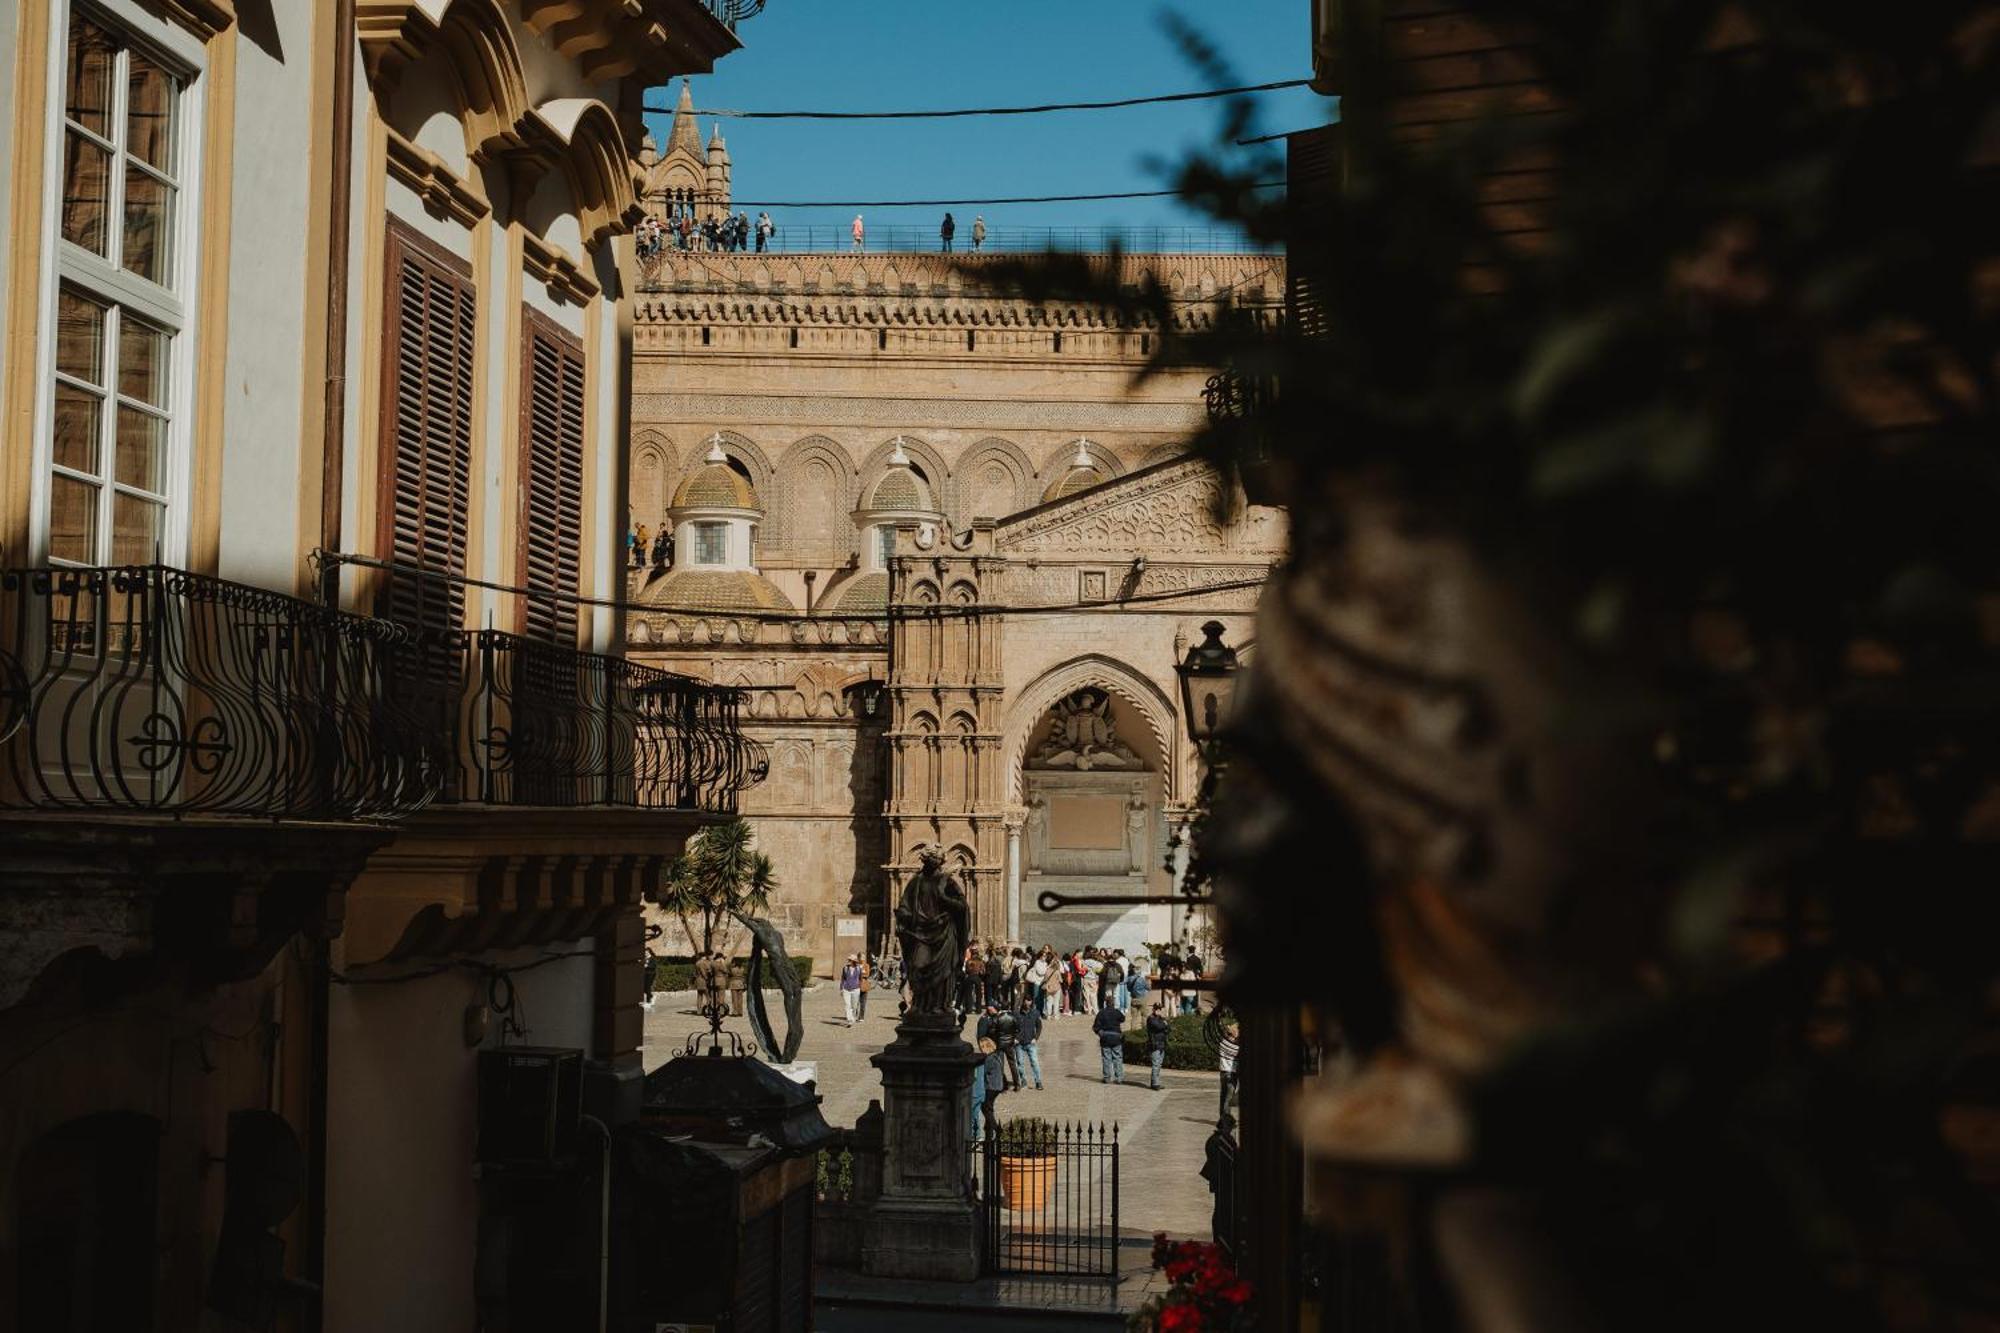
x,y
153,692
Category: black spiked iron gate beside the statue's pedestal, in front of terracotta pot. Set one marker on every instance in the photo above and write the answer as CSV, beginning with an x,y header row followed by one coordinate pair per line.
x,y
1051,1200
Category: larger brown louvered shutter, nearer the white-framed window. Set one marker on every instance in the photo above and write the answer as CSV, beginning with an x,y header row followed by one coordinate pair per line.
x,y
427,429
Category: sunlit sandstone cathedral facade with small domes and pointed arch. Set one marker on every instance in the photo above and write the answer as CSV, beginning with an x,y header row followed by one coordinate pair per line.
x,y
953,549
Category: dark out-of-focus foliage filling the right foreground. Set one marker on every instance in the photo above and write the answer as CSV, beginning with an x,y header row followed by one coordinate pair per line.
x,y
1721,441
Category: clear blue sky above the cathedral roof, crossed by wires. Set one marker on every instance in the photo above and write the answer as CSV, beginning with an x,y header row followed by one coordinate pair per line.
x,y
917,55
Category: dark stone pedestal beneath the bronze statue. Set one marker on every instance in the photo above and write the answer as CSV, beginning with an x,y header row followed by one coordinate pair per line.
x,y
925,1222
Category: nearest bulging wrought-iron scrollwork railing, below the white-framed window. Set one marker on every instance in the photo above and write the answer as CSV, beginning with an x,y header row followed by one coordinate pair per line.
x,y
149,690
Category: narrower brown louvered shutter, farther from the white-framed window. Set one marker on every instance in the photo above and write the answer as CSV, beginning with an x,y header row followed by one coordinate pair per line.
x,y
553,477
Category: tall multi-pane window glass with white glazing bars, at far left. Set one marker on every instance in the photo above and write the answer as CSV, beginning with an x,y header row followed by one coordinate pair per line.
x,y
119,305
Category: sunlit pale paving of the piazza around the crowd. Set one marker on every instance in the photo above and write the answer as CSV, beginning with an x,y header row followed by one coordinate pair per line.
x,y
1161,1134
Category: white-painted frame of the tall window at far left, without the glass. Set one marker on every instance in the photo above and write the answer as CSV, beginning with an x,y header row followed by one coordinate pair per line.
x,y
169,307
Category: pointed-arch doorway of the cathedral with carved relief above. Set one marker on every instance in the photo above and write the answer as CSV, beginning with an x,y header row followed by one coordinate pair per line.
x,y
1089,764
